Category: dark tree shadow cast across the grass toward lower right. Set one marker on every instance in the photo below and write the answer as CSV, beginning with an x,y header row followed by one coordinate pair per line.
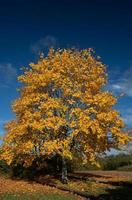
x,y
122,190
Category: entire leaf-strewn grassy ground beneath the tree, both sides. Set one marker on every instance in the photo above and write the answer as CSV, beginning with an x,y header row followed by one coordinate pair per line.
x,y
99,185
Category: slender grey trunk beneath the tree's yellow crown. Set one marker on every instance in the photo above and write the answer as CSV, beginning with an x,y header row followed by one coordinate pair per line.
x,y
64,171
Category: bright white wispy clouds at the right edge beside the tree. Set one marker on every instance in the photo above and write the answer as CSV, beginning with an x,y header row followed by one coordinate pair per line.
x,y
121,82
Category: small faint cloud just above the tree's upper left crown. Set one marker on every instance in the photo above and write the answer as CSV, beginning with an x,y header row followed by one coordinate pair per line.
x,y
44,43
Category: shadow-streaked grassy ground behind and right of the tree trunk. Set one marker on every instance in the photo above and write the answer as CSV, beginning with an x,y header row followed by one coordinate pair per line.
x,y
112,185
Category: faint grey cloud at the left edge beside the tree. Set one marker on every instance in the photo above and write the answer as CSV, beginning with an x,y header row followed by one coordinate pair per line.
x,y
8,75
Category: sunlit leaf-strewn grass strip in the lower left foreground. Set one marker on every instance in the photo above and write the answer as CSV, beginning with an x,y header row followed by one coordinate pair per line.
x,y
24,190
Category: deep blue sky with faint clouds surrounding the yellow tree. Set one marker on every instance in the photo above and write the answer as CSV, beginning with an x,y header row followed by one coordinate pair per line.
x,y
27,27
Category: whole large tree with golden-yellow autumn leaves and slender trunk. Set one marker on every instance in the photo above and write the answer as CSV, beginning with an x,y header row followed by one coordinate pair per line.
x,y
63,110
